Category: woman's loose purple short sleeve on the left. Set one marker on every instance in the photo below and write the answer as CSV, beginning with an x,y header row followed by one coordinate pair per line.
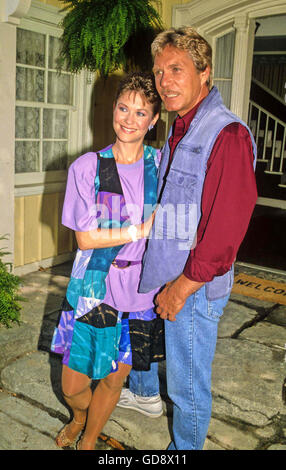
x,y
79,210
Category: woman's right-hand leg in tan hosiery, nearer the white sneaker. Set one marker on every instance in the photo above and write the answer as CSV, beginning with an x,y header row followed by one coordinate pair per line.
x,y
103,402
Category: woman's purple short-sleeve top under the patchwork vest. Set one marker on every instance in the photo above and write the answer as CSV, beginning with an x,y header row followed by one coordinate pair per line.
x,y
79,214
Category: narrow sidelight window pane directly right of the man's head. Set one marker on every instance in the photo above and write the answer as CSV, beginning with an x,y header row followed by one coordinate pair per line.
x,y
224,66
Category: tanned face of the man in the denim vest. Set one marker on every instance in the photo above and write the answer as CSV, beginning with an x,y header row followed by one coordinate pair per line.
x,y
178,82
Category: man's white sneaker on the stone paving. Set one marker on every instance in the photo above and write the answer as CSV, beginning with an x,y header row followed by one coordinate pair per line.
x,y
148,406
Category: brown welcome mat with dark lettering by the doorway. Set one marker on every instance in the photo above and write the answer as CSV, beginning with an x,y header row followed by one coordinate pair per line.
x,y
262,289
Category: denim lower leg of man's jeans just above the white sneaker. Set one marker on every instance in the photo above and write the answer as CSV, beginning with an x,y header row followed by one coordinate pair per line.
x,y
145,383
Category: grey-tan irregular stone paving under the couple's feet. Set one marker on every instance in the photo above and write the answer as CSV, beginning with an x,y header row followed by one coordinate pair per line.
x,y
249,370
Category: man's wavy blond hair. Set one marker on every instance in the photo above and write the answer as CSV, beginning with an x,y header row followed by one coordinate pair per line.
x,y
186,38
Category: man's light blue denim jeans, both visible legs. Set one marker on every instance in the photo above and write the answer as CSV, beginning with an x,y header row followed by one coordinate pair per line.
x,y
190,349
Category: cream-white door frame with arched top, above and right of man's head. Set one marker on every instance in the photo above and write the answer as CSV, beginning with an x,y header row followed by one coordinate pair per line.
x,y
214,18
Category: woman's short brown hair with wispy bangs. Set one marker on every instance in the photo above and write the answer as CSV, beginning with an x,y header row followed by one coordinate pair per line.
x,y
143,83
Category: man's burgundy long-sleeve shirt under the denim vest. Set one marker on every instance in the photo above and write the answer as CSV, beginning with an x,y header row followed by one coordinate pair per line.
x,y
228,199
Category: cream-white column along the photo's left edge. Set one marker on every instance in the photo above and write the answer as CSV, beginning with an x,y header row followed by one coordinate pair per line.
x,y
8,24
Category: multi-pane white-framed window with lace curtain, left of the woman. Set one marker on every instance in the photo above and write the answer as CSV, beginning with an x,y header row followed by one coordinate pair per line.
x,y
44,100
